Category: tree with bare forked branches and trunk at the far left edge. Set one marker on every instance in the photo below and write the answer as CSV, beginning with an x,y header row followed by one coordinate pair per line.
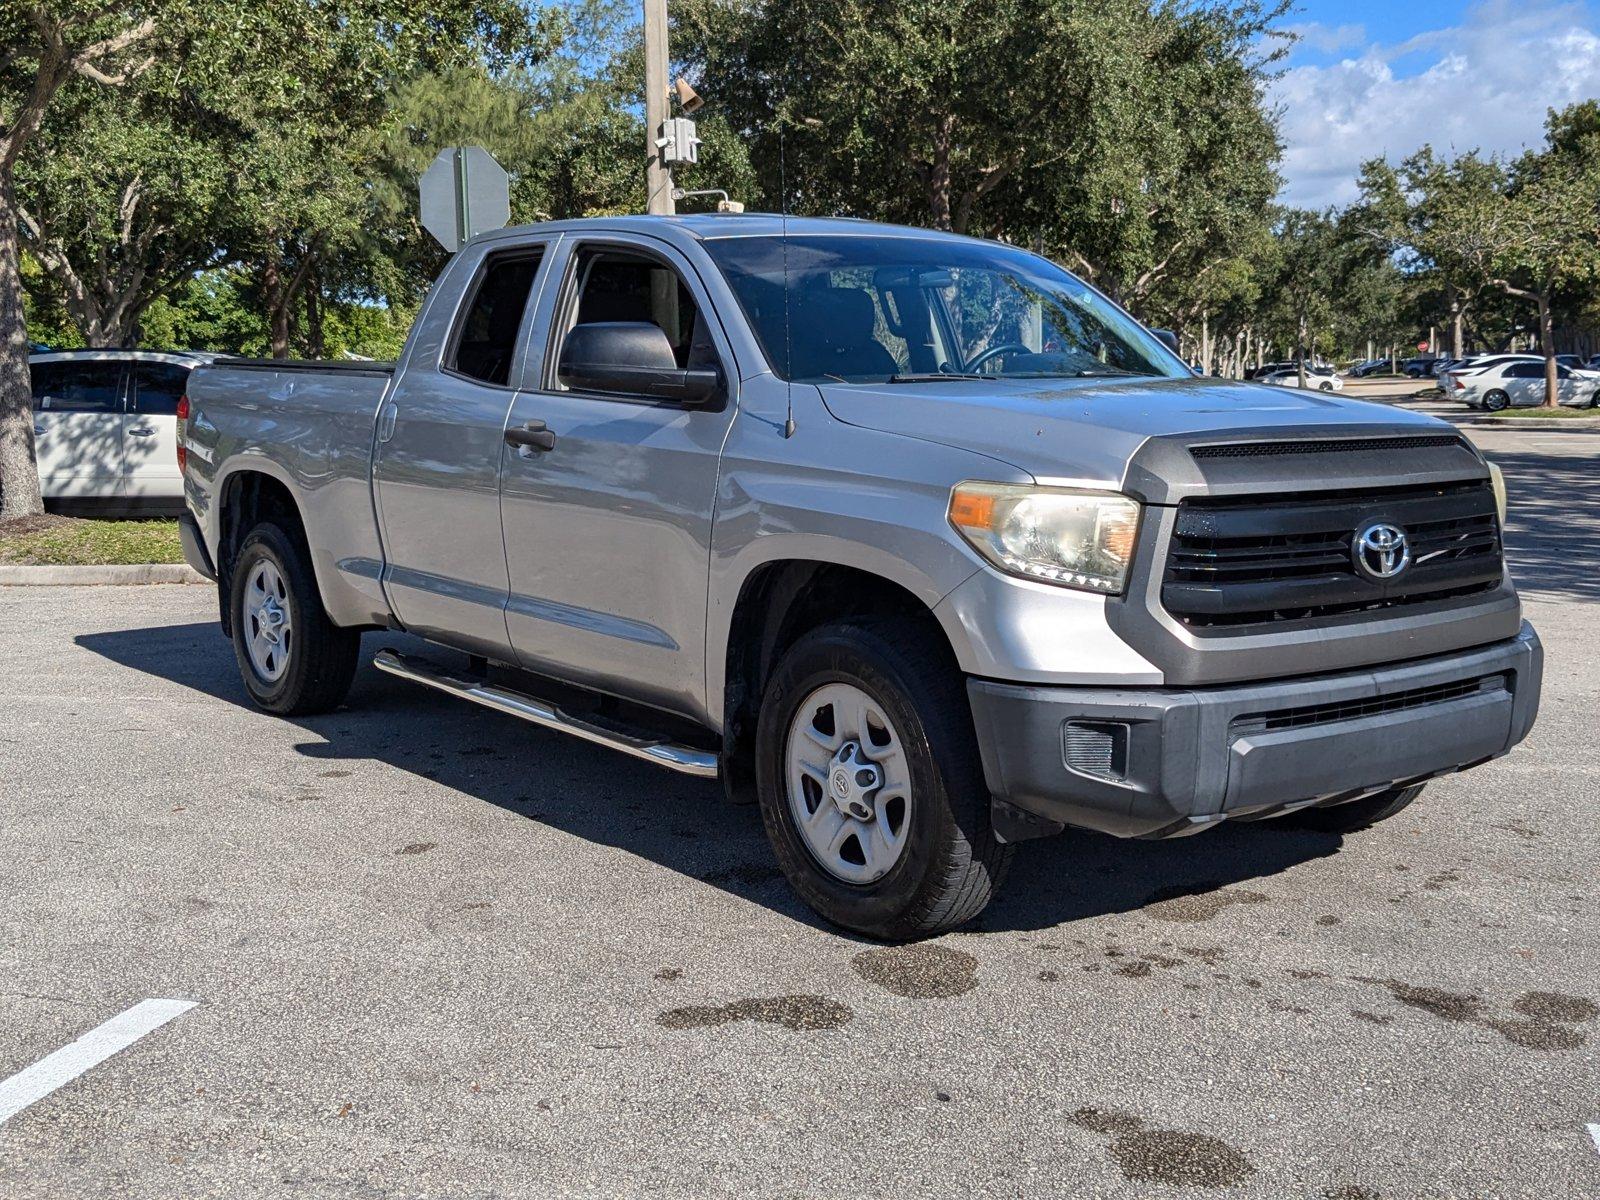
x,y
52,42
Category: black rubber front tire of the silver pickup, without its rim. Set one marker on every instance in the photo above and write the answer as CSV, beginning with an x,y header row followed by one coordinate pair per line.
x,y
953,865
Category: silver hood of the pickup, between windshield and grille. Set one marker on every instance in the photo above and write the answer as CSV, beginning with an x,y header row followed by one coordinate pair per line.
x,y
1089,430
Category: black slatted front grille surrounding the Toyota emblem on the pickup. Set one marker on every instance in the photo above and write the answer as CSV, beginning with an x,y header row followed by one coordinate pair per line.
x,y
1249,562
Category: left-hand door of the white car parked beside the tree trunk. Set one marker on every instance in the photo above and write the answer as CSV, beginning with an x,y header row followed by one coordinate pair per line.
x,y
78,428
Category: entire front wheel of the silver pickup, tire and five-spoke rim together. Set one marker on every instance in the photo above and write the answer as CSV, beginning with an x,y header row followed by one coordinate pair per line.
x,y
871,785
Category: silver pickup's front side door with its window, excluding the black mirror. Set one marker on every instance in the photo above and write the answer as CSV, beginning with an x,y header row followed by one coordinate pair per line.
x,y
609,529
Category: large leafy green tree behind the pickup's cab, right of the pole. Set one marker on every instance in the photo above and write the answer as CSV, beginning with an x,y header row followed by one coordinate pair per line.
x,y
1130,138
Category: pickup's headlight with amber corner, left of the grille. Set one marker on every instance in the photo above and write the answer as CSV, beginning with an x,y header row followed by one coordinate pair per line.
x,y
1062,537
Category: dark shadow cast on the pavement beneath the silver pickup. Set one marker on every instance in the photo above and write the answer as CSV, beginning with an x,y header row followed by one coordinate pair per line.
x,y
678,823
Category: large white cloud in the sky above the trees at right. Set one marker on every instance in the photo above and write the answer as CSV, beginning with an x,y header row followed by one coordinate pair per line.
x,y
1484,84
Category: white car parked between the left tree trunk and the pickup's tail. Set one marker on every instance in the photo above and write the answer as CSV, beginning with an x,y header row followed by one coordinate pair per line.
x,y
106,428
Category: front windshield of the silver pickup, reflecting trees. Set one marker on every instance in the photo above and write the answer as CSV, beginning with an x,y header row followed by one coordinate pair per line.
x,y
881,310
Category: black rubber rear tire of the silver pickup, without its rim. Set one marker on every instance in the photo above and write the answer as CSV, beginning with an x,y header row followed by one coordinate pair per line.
x,y
322,657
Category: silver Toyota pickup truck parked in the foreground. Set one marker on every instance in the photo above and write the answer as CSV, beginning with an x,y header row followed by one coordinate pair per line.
x,y
914,540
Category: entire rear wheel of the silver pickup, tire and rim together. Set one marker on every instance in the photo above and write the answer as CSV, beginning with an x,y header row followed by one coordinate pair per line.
x,y
294,660
